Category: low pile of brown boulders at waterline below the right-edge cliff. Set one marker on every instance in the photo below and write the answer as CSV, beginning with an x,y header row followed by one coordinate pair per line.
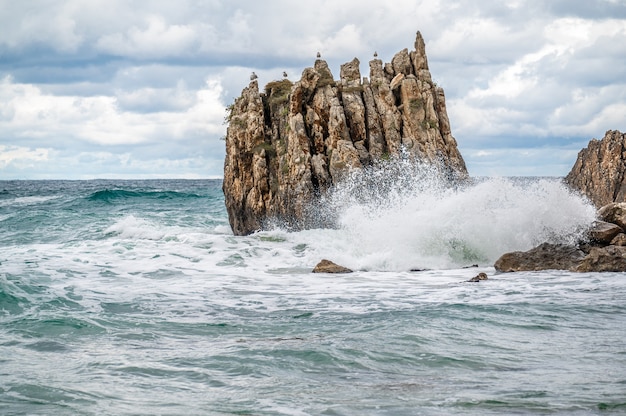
x,y
604,249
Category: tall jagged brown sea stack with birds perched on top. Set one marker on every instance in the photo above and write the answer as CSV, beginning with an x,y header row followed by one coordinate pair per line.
x,y
288,145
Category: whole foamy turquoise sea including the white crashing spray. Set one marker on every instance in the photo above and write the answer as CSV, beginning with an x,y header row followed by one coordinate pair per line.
x,y
134,298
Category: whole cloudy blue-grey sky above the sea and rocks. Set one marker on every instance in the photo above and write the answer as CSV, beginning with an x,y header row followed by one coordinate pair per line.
x,y
138,89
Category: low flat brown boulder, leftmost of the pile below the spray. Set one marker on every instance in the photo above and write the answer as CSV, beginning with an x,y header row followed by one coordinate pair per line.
x,y
546,256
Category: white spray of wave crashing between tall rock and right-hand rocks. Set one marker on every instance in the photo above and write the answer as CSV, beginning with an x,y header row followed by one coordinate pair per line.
x,y
402,214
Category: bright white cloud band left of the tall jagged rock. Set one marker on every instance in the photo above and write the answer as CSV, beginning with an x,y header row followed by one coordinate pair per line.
x,y
28,112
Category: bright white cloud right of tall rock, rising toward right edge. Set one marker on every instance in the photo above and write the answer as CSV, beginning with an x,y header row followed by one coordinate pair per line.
x,y
545,92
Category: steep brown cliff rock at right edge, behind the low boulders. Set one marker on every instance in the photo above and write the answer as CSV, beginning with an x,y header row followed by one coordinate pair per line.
x,y
600,170
